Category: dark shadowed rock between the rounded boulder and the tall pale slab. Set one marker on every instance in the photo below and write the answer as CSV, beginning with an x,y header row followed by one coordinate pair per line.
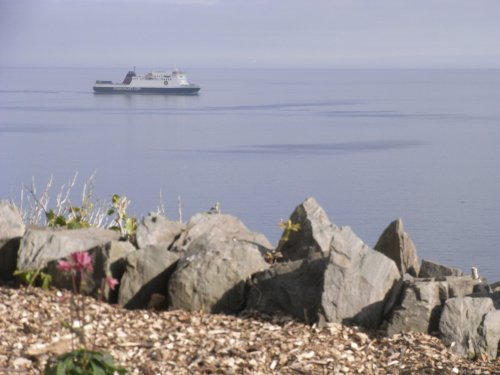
x,y
291,287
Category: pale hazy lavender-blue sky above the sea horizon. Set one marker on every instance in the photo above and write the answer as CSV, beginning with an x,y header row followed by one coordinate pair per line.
x,y
251,33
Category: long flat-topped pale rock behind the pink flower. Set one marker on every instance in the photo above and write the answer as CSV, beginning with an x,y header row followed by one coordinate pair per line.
x,y
42,245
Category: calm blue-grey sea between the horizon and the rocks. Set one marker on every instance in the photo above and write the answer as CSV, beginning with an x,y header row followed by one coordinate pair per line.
x,y
369,145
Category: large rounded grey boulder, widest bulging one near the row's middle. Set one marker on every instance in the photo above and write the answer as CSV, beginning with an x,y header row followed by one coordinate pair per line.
x,y
211,277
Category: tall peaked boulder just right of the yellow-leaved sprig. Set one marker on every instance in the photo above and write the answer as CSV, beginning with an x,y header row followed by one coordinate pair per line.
x,y
313,238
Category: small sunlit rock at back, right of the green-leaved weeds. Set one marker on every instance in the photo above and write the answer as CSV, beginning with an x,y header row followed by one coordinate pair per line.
x,y
157,230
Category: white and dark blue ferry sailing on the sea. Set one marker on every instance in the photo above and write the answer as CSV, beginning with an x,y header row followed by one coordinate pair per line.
x,y
174,82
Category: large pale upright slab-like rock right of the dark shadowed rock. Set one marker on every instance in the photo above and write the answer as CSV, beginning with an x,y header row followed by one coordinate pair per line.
x,y
357,281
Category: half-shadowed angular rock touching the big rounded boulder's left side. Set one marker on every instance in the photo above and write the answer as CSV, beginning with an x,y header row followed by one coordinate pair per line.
x,y
147,273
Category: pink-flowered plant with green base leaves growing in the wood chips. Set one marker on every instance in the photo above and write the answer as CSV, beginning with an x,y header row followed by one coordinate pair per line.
x,y
81,360
